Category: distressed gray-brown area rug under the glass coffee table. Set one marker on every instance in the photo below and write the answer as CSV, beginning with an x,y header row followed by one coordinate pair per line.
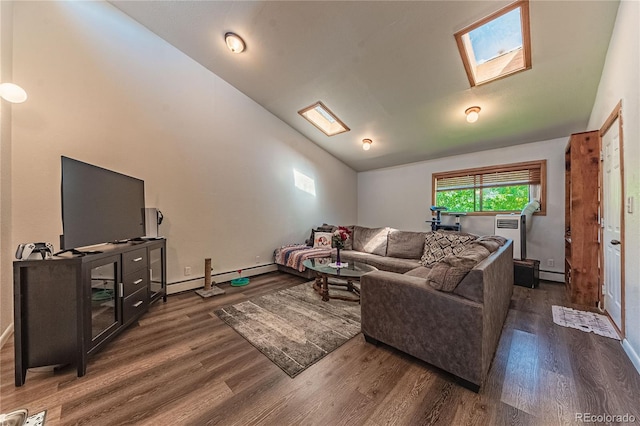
x,y
294,328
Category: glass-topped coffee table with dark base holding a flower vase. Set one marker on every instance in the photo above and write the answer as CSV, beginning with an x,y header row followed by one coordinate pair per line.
x,y
353,271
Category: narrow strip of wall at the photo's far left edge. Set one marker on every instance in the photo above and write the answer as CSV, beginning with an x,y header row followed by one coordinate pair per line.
x,y
6,274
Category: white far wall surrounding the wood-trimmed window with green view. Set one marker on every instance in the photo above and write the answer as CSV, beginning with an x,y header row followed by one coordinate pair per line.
x,y
400,197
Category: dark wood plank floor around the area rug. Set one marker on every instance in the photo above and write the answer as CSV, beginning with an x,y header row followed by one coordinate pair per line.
x,y
182,365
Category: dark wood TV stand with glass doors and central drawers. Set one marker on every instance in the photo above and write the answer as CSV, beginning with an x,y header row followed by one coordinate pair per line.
x,y
68,308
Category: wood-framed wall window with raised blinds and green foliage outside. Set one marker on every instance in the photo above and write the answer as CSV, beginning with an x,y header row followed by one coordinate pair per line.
x,y
488,190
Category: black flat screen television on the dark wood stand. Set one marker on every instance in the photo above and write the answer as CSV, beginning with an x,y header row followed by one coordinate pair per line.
x,y
99,205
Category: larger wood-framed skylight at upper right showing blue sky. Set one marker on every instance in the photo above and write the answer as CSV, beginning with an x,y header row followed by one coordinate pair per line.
x,y
498,45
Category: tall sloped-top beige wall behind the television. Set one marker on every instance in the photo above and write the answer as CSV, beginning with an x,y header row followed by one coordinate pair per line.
x,y
105,90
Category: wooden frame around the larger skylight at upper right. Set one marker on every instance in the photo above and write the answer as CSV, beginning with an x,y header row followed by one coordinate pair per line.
x,y
526,41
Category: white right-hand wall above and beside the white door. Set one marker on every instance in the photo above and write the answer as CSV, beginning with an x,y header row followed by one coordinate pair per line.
x,y
620,82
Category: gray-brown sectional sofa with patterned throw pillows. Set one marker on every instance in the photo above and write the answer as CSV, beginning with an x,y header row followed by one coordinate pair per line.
x,y
441,297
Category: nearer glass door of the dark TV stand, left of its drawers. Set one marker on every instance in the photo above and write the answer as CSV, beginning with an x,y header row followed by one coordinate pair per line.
x,y
104,299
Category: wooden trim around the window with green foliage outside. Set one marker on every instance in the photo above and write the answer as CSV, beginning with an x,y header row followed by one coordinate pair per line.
x,y
541,164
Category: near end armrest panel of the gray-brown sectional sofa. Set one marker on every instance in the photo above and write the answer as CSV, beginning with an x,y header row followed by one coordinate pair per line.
x,y
440,328
